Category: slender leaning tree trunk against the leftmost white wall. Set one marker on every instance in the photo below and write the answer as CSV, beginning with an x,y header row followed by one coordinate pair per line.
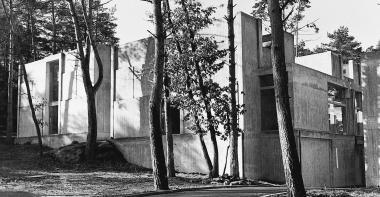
x,y
36,125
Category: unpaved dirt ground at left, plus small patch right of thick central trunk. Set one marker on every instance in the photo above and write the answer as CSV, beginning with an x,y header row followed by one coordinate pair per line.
x,y
23,170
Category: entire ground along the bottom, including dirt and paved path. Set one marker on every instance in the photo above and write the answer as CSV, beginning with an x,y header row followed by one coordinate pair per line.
x,y
24,173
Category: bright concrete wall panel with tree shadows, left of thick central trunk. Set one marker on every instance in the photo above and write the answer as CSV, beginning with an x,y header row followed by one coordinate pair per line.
x,y
134,73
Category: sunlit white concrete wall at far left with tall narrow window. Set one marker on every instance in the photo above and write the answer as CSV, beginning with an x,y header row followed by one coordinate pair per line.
x,y
72,103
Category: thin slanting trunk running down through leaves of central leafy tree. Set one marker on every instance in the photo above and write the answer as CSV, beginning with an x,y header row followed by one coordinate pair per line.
x,y
191,96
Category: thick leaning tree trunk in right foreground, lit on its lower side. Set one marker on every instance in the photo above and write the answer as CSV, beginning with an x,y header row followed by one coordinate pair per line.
x,y
290,159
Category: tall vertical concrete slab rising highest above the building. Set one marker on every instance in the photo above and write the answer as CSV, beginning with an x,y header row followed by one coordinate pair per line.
x,y
248,57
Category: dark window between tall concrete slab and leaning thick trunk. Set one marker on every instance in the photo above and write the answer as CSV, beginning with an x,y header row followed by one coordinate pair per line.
x,y
268,103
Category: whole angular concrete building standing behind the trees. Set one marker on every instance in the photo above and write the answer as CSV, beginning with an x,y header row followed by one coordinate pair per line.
x,y
325,104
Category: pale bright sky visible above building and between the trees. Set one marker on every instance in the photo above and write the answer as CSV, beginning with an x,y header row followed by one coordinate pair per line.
x,y
362,17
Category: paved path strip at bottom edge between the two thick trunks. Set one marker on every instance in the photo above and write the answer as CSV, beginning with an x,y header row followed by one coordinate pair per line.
x,y
226,192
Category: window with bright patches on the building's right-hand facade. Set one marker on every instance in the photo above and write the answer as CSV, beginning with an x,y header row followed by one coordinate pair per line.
x,y
336,109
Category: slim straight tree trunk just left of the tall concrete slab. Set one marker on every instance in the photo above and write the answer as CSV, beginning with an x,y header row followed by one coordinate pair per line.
x,y
234,162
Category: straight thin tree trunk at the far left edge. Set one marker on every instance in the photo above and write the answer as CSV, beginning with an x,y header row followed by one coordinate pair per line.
x,y
10,76
